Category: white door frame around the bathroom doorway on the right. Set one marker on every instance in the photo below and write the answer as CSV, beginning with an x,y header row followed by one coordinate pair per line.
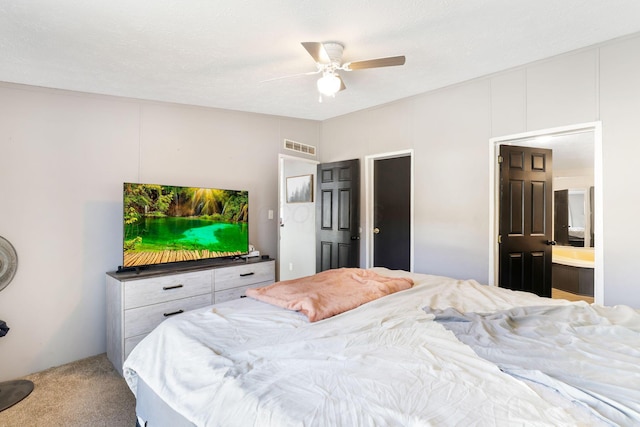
x,y
494,193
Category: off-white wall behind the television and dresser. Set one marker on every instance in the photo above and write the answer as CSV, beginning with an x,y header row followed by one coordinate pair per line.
x,y
63,159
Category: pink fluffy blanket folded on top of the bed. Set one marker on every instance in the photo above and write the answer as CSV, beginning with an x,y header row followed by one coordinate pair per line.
x,y
330,292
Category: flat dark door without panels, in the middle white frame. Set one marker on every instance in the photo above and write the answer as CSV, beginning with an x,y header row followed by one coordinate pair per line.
x,y
392,213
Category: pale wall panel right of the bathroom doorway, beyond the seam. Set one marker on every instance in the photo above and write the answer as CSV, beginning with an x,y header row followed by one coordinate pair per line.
x,y
619,108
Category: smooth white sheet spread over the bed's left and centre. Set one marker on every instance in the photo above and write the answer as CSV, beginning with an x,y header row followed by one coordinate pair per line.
x,y
386,363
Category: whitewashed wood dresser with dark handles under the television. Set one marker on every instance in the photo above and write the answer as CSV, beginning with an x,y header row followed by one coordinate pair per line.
x,y
137,302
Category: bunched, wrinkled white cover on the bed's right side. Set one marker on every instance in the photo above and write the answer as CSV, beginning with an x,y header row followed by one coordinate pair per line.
x,y
589,353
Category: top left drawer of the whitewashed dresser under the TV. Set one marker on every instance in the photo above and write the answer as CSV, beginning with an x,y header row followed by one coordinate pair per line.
x,y
138,293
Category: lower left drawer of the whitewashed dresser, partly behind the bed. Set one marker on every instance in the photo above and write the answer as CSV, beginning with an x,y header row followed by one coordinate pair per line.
x,y
143,320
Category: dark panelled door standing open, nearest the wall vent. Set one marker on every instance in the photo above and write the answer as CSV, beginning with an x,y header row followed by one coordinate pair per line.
x,y
338,215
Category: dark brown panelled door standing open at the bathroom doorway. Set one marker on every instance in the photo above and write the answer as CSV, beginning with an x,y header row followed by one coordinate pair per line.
x,y
525,219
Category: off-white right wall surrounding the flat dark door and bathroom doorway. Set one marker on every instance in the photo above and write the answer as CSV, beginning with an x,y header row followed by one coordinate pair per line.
x,y
449,130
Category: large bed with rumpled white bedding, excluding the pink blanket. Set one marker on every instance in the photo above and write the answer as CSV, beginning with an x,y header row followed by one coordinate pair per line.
x,y
440,352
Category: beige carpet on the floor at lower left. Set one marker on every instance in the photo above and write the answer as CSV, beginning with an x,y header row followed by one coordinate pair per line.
x,y
88,392
